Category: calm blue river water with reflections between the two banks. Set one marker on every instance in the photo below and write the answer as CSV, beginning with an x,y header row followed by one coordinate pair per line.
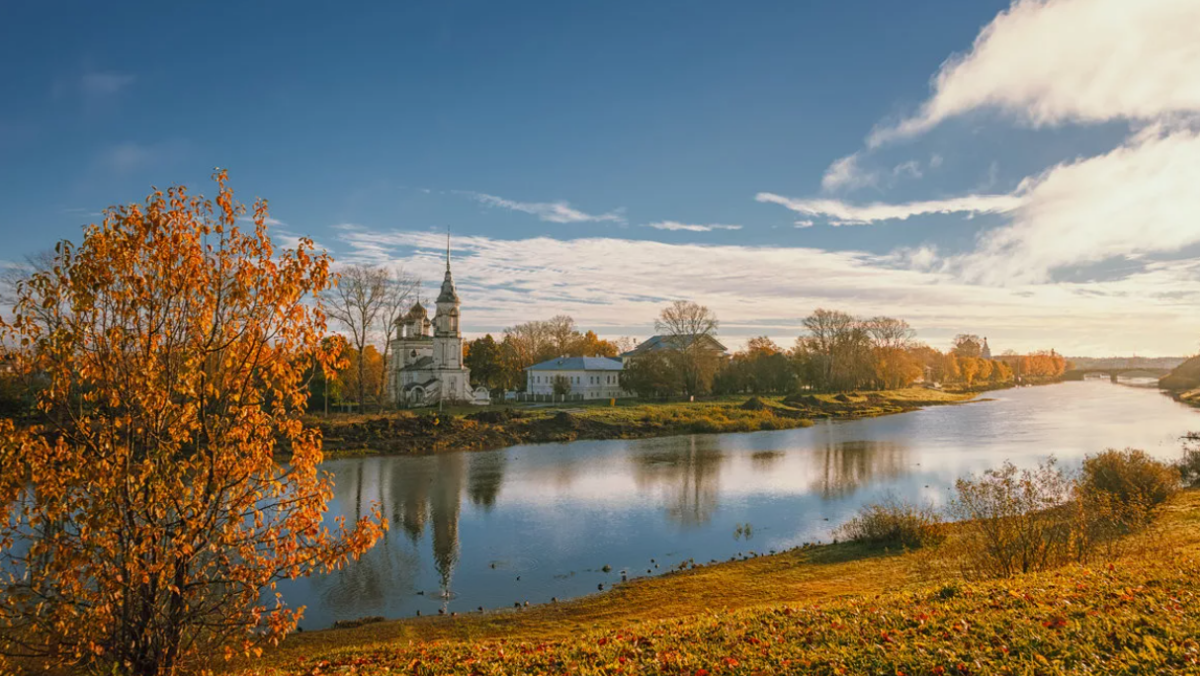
x,y
532,523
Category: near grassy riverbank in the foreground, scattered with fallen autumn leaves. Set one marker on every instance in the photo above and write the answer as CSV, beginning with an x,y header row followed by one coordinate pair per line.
x,y
831,609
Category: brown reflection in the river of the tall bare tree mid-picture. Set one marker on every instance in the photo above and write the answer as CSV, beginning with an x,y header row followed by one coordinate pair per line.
x,y
688,475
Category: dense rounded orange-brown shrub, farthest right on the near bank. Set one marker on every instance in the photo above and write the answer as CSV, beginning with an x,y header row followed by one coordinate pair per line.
x,y
1129,480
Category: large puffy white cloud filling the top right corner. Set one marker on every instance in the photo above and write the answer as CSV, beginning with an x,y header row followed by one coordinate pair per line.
x,y
1053,62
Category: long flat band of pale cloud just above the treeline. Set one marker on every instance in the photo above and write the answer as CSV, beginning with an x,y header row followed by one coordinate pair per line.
x,y
617,286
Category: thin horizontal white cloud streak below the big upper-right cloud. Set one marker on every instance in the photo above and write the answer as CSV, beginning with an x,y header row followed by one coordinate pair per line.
x,y
847,214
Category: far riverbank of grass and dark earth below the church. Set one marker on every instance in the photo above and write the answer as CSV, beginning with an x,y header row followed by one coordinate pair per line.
x,y
427,433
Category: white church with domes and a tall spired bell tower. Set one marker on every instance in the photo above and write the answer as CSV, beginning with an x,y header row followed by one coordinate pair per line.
x,y
427,369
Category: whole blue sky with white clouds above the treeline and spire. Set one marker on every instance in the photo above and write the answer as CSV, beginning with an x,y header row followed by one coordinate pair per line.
x,y
1027,172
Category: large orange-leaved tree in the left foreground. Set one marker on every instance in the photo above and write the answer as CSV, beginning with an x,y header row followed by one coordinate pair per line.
x,y
148,518
